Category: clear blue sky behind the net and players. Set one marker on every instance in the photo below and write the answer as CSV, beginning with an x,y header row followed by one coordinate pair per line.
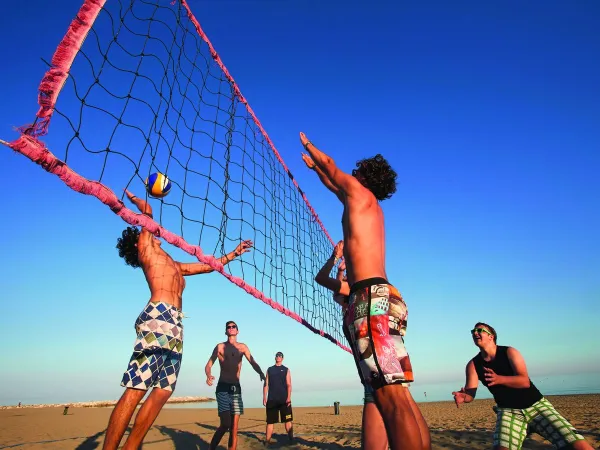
x,y
488,111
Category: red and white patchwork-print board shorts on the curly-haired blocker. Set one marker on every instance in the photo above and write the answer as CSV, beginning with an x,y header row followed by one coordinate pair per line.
x,y
374,324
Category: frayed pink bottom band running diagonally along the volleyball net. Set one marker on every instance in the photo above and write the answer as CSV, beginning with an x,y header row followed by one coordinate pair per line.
x,y
38,153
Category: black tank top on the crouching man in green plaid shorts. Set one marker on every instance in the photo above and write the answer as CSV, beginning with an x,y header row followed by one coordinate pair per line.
x,y
506,397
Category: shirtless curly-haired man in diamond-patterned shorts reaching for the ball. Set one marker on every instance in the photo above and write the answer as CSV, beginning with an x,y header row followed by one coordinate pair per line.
x,y
156,358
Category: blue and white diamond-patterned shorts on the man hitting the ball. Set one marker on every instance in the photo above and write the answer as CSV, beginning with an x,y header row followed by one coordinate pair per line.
x,y
157,351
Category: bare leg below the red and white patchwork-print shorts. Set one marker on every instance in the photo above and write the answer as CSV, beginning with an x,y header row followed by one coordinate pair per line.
x,y
405,430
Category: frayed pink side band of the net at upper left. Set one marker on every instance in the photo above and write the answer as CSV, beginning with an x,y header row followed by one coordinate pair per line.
x,y
63,57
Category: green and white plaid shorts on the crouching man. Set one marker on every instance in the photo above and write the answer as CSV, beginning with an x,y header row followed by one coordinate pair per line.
x,y
541,417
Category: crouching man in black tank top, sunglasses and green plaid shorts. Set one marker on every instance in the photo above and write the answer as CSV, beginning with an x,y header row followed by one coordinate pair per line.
x,y
521,406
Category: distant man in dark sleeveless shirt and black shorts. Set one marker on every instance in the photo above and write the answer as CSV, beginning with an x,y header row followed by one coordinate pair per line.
x,y
277,397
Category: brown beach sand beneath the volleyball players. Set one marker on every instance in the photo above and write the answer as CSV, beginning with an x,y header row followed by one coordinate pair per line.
x,y
469,427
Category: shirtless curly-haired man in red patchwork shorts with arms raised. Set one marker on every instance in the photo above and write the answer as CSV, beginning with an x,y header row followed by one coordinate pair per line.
x,y
376,318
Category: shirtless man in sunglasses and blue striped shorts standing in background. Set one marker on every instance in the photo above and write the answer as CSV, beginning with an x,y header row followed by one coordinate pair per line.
x,y
229,391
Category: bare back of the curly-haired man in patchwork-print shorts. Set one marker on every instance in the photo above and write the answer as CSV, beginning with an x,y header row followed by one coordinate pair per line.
x,y
364,235
